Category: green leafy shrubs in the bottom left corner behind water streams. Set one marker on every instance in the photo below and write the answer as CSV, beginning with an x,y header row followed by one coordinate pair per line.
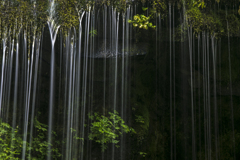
x,y
11,142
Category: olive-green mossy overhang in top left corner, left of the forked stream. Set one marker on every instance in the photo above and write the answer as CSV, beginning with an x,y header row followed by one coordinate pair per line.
x,y
21,14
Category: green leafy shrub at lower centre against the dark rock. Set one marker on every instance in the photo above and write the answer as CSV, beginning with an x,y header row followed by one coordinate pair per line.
x,y
106,130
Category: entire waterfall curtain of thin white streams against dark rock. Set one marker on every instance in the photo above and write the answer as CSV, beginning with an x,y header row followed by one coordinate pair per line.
x,y
78,75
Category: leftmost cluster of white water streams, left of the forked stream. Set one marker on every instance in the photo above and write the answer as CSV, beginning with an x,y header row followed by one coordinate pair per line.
x,y
8,84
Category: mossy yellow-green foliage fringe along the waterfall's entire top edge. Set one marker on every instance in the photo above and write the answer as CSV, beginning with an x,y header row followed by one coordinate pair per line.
x,y
32,15
